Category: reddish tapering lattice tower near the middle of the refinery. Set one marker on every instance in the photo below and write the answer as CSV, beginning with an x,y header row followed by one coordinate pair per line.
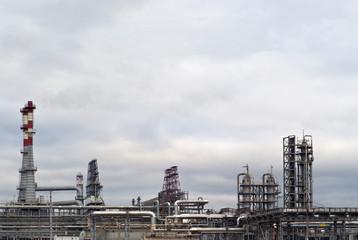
x,y
171,187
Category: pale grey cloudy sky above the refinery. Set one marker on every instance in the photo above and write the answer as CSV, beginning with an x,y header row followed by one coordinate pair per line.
x,y
206,85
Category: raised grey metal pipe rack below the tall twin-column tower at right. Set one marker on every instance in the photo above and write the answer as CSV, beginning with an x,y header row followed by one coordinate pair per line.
x,y
316,223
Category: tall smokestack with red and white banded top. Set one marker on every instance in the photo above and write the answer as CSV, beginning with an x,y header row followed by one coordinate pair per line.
x,y
27,193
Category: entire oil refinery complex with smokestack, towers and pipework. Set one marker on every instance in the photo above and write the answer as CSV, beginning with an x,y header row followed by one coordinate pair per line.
x,y
172,214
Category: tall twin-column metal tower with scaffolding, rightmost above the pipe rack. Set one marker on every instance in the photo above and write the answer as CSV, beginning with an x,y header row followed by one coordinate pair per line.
x,y
297,171
